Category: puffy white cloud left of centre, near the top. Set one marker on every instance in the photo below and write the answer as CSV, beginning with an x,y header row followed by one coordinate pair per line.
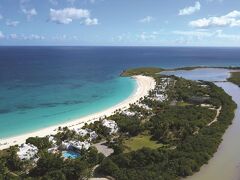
x,y
67,15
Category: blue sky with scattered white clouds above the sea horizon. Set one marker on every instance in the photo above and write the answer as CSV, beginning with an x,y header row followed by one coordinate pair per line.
x,y
120,22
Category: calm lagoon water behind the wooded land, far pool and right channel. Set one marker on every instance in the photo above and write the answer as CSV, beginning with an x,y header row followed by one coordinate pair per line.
x,y
225,165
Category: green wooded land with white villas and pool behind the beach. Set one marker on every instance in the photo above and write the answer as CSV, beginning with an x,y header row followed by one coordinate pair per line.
x,y
168,134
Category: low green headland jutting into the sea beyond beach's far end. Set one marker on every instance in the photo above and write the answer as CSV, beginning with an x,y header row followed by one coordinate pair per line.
x,y
148,71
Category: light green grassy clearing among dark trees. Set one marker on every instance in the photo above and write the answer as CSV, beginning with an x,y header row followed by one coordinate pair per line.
x,y
140,141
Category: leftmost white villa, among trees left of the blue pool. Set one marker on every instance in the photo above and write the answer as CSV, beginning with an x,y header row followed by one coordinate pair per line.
x,y
27,151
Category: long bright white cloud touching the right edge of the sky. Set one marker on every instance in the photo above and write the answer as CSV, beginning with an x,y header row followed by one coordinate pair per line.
x,y
231,19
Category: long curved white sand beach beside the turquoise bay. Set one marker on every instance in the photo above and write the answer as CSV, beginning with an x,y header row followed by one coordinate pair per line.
x,y
144,85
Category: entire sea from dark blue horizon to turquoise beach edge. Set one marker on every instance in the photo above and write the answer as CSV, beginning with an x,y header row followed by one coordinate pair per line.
x,y
44,86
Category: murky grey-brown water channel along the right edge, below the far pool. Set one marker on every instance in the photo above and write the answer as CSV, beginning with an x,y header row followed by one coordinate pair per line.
x,y
226,157
